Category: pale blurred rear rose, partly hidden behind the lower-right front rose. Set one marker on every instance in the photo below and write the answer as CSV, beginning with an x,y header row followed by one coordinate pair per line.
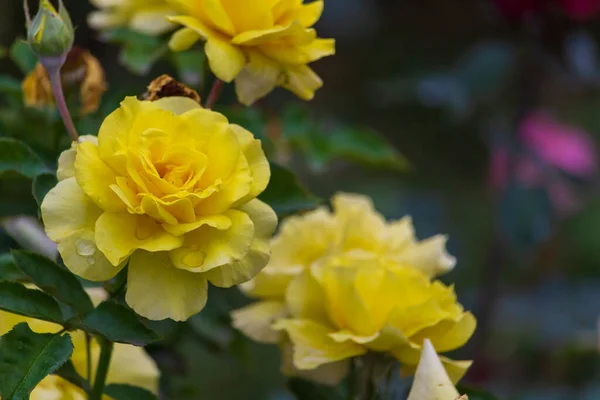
x,y
354,230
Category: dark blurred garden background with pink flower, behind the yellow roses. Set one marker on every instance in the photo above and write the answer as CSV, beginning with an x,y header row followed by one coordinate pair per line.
x,y
496,107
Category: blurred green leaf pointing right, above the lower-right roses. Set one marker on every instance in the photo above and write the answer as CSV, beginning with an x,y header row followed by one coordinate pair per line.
x,y
366,147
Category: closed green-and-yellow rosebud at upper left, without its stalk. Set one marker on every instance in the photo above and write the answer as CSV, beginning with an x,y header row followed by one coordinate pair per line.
x,y
51,33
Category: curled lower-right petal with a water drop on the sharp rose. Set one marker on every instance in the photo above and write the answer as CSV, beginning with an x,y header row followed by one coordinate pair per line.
x,y
206,248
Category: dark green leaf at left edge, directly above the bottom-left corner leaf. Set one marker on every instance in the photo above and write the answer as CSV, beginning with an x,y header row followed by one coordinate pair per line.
x,y
17,299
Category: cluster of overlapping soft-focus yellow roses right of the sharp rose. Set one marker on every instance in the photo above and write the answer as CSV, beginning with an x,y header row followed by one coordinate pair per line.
x,y
345,283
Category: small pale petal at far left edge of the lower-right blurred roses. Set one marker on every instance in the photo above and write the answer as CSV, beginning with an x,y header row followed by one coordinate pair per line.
x,y
256,319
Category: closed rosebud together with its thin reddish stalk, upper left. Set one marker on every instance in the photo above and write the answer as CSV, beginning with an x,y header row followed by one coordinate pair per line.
x,y
50,35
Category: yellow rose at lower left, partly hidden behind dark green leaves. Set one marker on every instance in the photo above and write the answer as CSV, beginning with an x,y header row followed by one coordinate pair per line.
x,y
128,365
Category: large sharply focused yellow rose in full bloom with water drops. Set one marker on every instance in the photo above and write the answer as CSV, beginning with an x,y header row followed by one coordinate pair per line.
x,y
170,189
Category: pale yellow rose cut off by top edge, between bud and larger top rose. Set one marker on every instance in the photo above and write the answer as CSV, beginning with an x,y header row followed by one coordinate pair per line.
x,y
145,16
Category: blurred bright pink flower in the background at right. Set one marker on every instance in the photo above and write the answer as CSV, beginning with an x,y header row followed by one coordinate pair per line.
x,y
565,147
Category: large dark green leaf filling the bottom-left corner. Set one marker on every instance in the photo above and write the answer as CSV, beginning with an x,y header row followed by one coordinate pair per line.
x,y
27,357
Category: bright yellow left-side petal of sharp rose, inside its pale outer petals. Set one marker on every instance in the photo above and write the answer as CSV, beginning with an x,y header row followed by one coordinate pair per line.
x,y
95,177
